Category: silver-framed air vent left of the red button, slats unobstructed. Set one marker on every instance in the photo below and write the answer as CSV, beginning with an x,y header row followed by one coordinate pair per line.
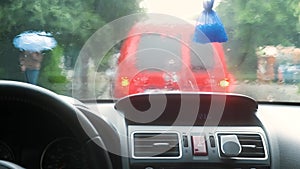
x,y
156,145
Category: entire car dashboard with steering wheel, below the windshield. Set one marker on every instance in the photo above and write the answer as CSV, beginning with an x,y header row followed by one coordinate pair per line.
x,y
148,131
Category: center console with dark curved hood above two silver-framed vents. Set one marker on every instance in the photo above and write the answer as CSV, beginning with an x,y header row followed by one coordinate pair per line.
x,y
194,130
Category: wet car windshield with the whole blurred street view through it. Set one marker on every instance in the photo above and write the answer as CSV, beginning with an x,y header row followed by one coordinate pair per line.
x,y
105,50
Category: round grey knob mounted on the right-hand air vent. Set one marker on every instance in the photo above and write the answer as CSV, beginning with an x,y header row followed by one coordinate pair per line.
x,y
230,145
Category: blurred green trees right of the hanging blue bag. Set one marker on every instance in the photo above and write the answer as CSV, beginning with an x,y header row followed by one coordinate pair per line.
x,y
250,24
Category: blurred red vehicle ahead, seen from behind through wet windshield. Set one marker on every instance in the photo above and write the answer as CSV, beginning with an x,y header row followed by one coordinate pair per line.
x,y
165,58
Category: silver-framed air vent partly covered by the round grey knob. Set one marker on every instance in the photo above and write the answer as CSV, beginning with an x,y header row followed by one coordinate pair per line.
x,y
252,146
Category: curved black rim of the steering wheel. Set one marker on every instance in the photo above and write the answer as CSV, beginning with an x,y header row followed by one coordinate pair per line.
x,y
76,121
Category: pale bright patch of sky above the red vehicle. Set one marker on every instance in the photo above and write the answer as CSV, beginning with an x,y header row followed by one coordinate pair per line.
x,y
184,9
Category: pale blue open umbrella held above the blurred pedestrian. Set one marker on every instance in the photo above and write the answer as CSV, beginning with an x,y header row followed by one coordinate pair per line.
x,y
34,41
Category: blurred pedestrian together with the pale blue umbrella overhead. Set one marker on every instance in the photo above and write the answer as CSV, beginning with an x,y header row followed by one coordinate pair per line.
x,y
31,45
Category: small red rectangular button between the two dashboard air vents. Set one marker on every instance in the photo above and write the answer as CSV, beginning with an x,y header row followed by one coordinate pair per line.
x,y
199,146
